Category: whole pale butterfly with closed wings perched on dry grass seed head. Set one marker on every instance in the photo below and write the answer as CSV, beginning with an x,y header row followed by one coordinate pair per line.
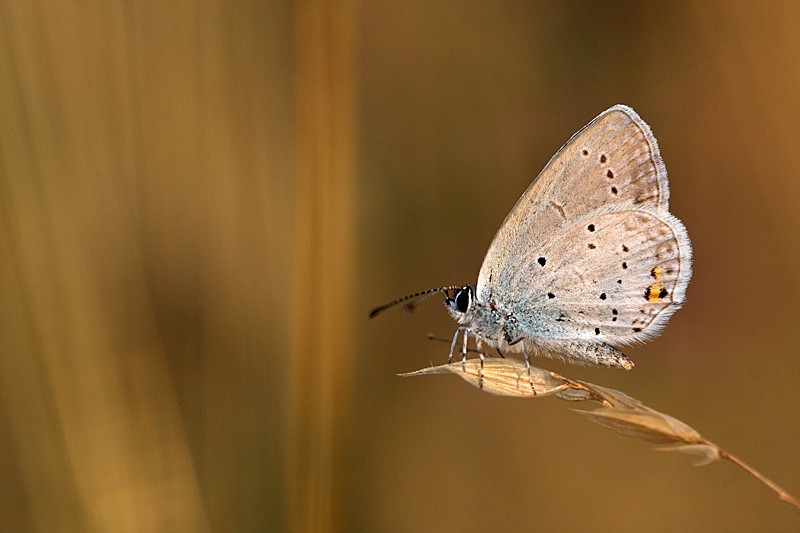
x,y
588,260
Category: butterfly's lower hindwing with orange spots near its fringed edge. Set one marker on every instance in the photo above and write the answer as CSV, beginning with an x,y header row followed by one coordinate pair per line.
x,y
615,275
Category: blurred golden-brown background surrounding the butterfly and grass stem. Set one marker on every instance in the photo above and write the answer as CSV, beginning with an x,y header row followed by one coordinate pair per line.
x,y
199,202
